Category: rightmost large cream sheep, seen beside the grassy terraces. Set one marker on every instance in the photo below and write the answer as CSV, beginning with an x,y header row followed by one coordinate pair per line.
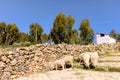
x,y
94,57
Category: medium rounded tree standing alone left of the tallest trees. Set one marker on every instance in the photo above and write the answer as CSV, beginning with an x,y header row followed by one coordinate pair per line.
x,y
35,32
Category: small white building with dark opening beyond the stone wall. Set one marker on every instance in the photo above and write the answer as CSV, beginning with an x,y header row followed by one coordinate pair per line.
x,y
104,38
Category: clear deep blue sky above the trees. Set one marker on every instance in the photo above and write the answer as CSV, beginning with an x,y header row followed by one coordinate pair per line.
x,y
104,15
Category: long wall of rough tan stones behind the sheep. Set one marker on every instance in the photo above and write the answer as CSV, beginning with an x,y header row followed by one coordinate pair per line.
x,y
19,61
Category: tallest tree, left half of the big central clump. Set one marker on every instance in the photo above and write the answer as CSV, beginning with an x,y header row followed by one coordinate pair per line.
x,y
57,34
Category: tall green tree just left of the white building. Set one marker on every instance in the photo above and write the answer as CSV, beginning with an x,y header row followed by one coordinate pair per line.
x,y
86,33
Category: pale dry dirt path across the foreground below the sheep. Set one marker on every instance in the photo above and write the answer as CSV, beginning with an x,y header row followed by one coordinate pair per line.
x,y
69,74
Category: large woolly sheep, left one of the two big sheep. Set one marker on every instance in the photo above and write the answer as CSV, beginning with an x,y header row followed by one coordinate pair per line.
x,y
84,59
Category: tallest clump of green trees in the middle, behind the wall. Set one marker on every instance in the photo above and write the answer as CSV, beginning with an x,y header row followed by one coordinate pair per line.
x,y
62,30
